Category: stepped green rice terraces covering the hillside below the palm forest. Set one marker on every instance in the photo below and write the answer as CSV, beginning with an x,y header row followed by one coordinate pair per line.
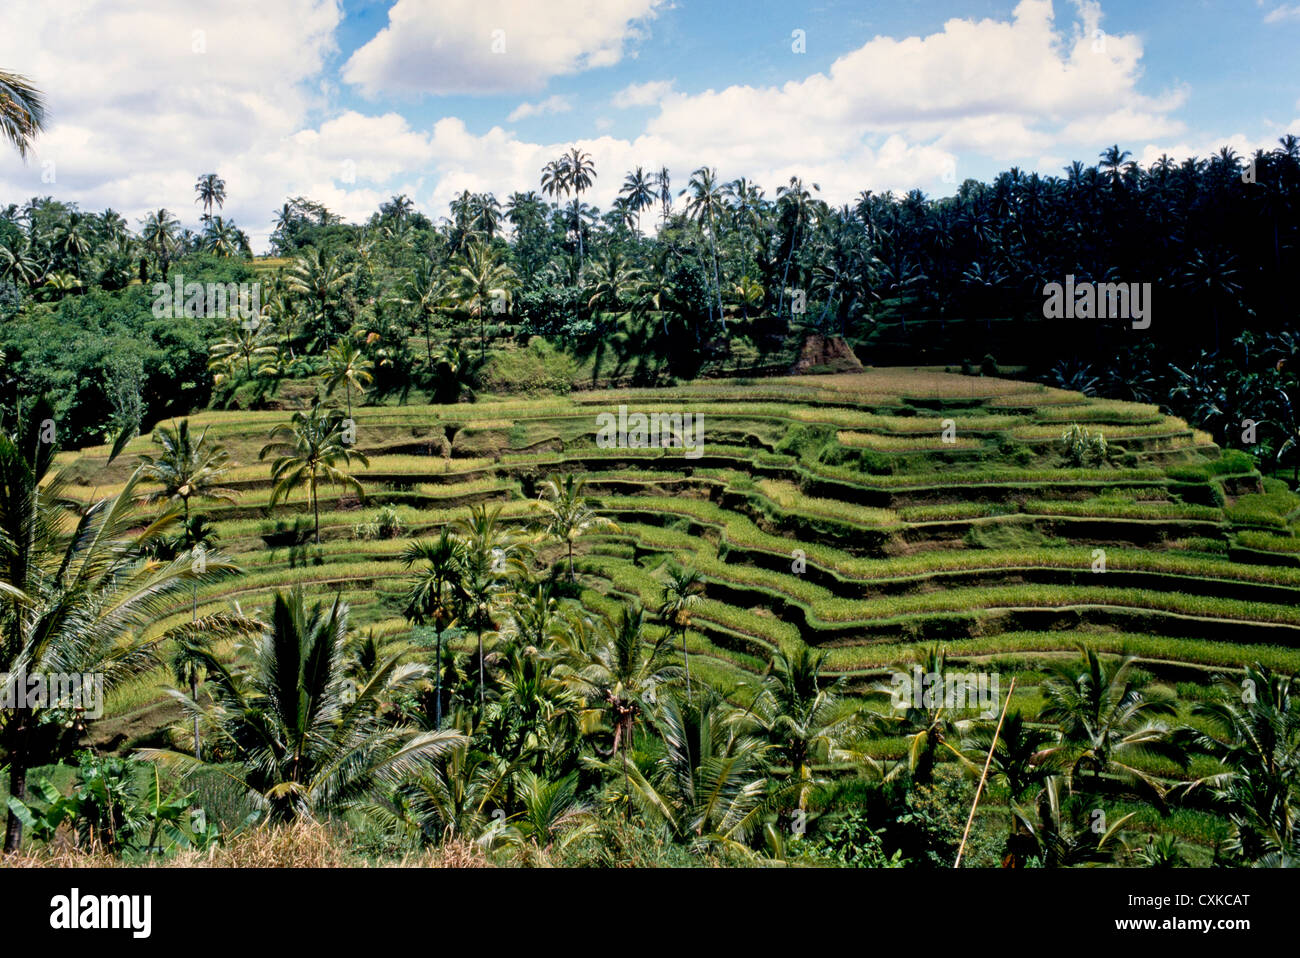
x,y
861,514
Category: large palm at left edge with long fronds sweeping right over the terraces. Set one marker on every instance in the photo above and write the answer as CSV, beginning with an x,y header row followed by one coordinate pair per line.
x,y
77,595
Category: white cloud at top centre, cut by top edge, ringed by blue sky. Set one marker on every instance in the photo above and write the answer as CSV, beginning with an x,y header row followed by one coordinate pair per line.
x,y
493,46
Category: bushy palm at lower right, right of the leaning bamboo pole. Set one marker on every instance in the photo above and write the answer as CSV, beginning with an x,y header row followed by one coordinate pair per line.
x,y
1110,716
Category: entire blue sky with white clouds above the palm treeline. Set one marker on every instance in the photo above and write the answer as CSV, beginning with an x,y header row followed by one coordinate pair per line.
x,y
352,102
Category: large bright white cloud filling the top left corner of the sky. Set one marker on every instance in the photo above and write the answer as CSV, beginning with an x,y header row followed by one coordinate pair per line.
x,y
144,98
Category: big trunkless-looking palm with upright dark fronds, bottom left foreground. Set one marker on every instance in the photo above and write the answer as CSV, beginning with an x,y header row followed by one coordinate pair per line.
x,y
307,748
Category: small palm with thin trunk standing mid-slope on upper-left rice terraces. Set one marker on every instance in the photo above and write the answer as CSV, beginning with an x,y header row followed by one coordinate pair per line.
x,y
311,449
